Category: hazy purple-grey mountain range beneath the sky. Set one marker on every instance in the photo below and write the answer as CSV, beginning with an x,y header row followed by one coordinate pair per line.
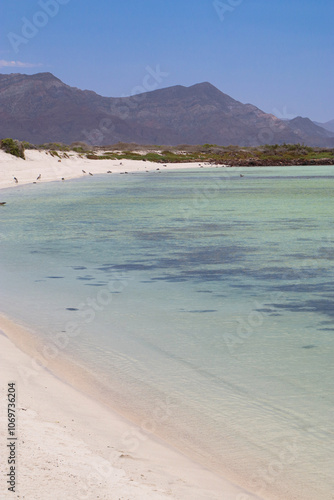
x,y
41,108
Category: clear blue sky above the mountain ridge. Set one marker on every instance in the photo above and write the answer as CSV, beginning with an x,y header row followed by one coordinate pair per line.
x,y
275,54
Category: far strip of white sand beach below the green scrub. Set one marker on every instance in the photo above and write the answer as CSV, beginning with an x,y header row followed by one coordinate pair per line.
x,y
53,168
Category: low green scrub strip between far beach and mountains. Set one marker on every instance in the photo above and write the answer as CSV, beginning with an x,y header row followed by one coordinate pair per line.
x,y
267,155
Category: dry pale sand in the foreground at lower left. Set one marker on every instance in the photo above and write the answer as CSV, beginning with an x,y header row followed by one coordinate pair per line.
x,y
70,446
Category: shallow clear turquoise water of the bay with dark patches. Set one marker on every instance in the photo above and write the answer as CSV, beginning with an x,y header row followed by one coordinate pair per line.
x,y
201,302
